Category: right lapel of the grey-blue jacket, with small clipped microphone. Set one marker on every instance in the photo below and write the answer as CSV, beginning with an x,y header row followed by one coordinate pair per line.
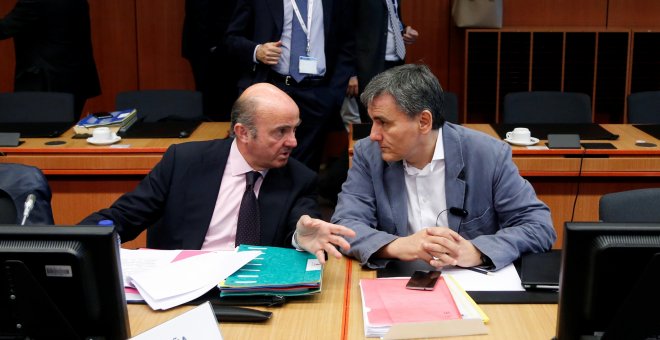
x,y
455,184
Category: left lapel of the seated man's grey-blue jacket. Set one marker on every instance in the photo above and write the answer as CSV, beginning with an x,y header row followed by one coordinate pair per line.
x,y
396,193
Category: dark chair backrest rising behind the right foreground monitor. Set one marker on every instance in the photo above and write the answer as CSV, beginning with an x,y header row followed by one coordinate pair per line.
x,y
641,205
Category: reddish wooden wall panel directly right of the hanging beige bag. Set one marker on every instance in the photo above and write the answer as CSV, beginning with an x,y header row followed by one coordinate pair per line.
x,y
592,13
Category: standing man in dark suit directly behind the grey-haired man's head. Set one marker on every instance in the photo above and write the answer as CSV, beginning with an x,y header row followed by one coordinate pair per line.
x,y
377,51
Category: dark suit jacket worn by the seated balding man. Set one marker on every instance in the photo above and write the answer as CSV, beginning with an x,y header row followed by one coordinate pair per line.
x,y
176,200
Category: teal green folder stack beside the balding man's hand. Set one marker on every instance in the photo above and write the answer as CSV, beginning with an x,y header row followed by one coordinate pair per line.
x,y
278,271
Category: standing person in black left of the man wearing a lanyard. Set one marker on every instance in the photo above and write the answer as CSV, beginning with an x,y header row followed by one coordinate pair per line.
x,y
202,44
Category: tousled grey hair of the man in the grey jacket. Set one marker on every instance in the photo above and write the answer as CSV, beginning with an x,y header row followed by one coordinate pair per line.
x,y
414,88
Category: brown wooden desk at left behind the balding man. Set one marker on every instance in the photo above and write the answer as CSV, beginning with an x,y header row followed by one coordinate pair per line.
x,y
84,177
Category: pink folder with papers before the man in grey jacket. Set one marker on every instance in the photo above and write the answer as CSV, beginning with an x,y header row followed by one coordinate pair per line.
x,y
386,304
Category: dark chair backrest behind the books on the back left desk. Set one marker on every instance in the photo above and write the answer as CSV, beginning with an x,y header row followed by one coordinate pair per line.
x,y
162,105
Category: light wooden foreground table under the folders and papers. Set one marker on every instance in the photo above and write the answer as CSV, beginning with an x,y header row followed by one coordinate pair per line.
x,y
336,313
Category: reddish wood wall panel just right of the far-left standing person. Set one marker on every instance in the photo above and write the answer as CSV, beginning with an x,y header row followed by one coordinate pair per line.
x,y
115,50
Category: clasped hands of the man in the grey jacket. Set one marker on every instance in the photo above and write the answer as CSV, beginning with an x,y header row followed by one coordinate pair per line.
x,y
438,246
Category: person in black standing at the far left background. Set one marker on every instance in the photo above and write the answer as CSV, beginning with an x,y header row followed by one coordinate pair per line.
x,y
53,48
